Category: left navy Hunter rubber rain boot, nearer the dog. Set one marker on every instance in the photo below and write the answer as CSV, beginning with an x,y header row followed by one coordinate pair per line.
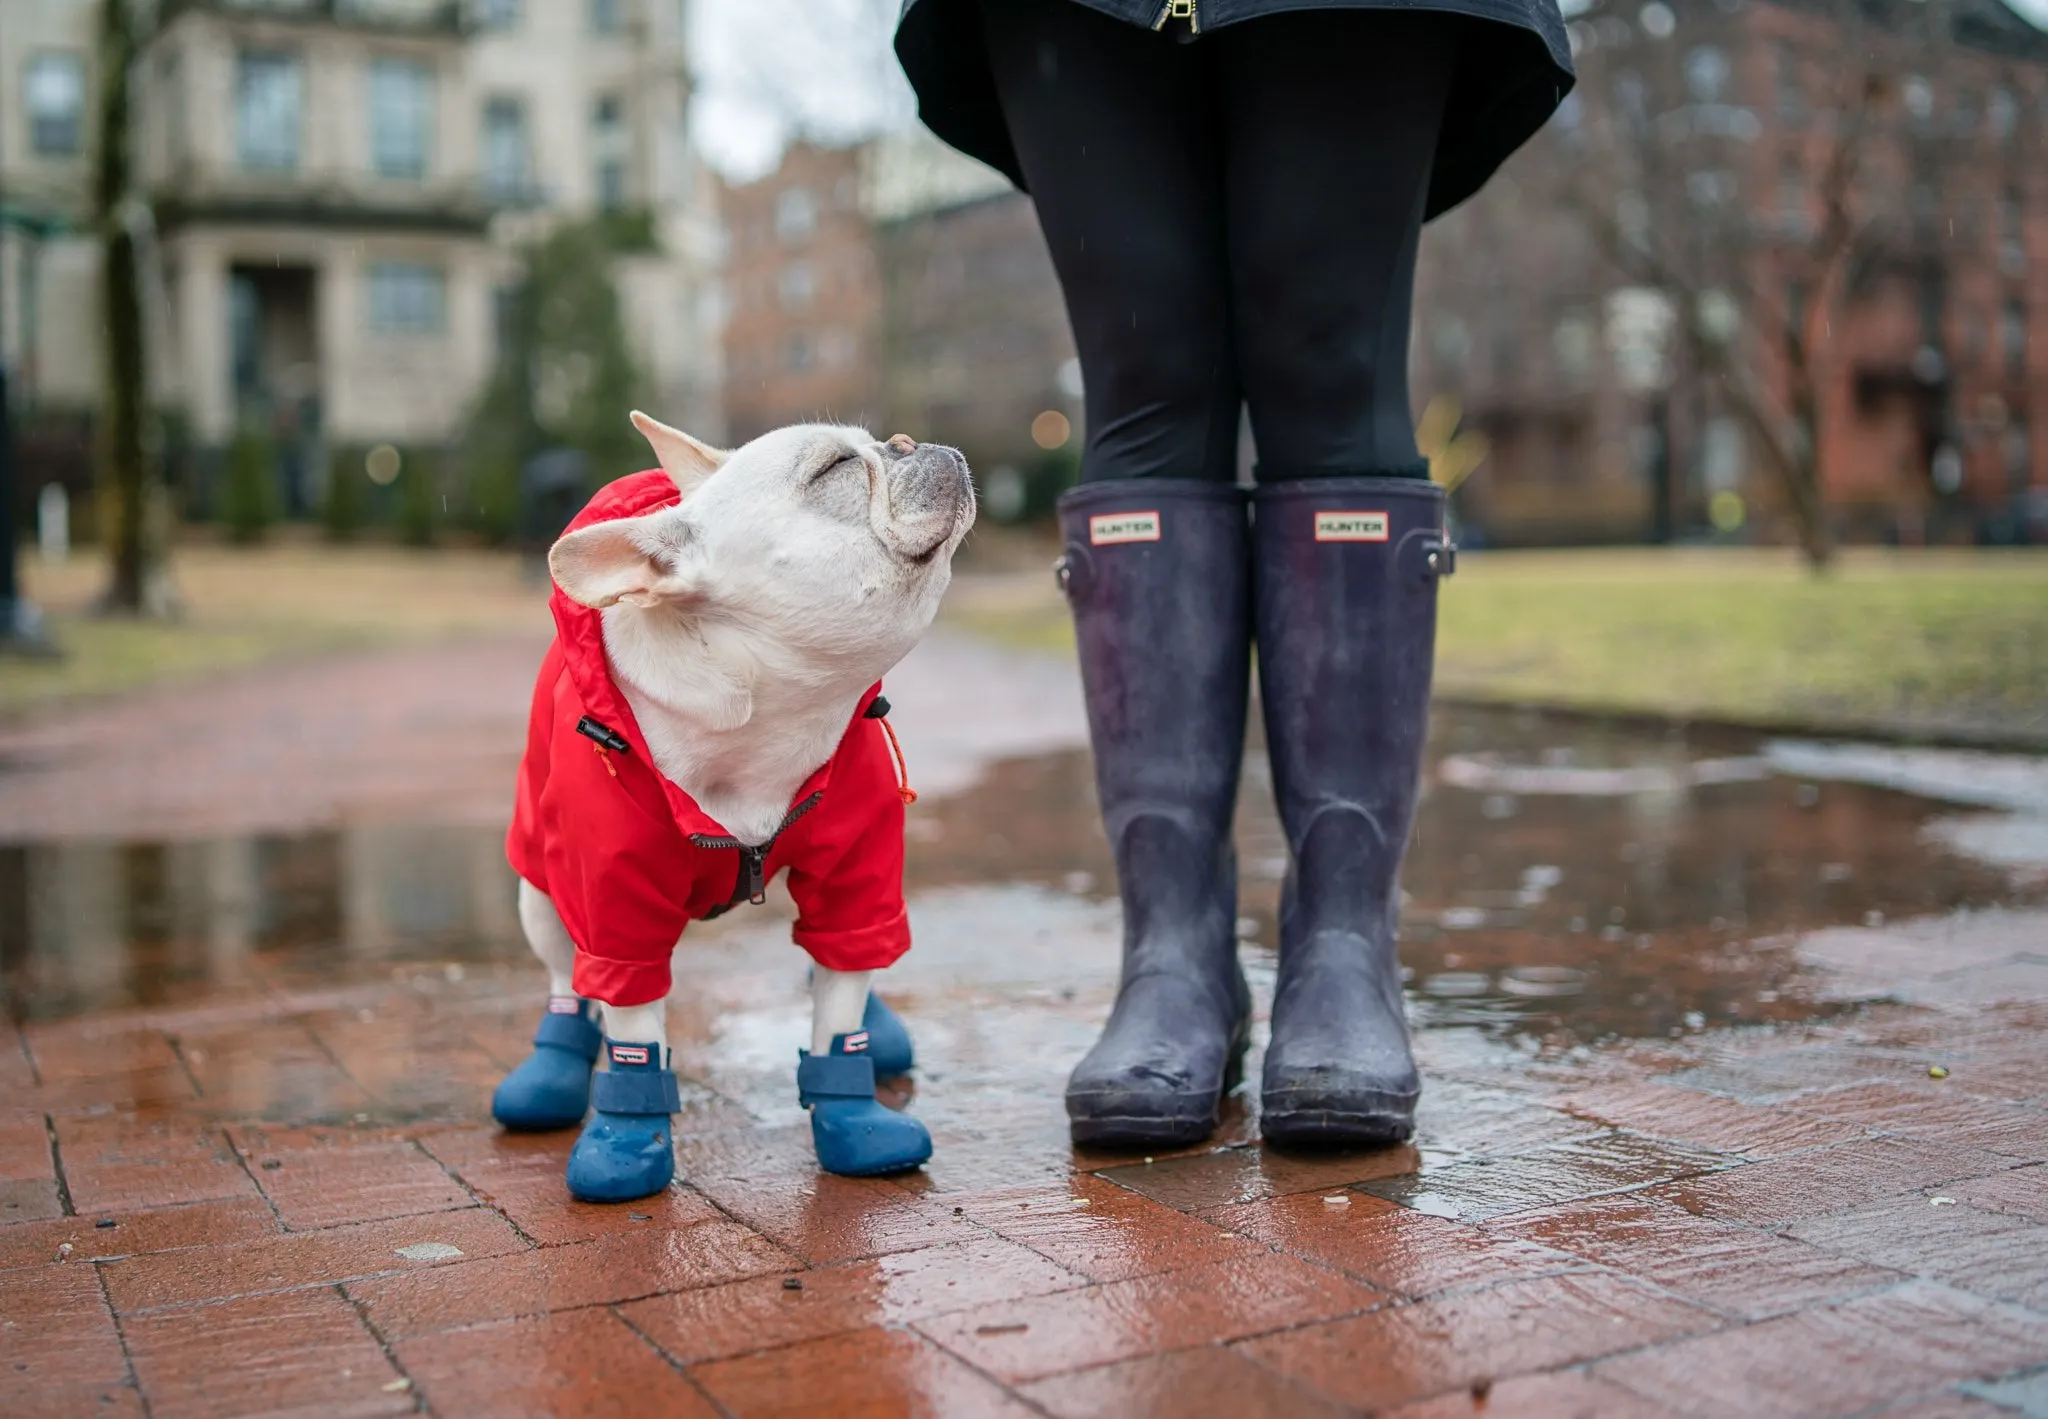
x,y
1156,572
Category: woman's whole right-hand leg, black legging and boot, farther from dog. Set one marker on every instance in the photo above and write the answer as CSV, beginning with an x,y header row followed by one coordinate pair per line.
x,y
1332,128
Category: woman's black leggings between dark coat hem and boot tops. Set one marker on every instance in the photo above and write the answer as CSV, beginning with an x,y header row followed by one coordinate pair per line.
x,y
1234,222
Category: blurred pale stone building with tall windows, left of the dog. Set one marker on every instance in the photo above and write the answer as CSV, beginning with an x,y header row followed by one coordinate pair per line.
x,y
339,191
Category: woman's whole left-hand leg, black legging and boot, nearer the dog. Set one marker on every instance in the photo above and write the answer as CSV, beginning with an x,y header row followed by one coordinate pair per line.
x,y
1115,128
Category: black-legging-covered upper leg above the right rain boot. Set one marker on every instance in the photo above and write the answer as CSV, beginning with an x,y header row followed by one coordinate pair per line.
x,y
1330,130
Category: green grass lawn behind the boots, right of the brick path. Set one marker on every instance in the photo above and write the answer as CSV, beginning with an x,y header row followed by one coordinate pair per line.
x,y
1900,642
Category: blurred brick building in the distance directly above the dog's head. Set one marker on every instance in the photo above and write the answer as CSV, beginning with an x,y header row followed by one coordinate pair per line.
x,y
902,286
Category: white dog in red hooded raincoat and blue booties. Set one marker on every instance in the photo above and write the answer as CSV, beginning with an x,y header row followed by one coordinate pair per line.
x,y
708,718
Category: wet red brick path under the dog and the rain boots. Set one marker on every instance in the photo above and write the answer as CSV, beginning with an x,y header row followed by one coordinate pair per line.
x,y
261,1180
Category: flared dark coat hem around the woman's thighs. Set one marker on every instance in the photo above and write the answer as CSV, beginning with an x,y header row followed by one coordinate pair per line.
x,y
1514,73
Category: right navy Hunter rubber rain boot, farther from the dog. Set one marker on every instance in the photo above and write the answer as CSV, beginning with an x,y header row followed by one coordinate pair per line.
x,y
1347,574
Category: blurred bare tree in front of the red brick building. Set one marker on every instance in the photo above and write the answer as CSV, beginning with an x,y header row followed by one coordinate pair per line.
x,y
1766,224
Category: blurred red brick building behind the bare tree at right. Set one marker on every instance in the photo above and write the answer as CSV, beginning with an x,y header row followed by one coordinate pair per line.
x,y
1820,218
